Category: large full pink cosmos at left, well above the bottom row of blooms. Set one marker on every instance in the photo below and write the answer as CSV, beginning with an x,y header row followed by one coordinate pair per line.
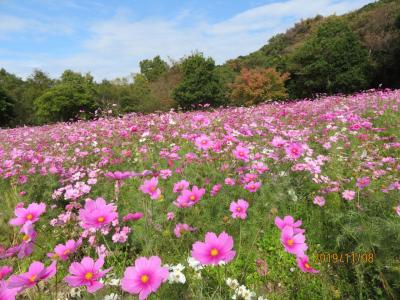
x,y
97,214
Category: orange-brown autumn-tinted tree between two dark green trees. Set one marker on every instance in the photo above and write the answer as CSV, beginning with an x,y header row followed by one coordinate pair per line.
x,y
258,85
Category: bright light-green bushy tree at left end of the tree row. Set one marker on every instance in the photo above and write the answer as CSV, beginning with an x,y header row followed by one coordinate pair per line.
x,y
72,95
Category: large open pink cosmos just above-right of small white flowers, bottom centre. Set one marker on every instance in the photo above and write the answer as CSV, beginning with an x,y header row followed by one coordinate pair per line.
x,y
214,249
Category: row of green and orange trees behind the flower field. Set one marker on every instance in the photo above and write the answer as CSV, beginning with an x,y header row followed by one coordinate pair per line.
x,y
330,59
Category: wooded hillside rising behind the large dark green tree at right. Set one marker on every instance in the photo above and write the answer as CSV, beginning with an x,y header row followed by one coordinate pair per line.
x,y
377,25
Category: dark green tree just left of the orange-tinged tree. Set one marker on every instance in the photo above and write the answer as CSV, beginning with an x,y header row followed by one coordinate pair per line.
x,y
200,84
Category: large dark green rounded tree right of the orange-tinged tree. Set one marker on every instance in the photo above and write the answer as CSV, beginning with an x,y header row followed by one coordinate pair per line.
x,y
331,60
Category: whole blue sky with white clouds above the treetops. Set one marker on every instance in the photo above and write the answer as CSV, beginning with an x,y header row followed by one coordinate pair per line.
x,y
109,38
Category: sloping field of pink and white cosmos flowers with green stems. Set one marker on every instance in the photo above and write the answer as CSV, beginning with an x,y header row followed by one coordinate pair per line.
x,y
296,200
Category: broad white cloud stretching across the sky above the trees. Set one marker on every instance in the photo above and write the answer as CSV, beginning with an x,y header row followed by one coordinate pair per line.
x,y
115,46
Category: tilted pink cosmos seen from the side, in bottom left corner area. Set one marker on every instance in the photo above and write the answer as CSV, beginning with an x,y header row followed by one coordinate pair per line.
x,y
37,272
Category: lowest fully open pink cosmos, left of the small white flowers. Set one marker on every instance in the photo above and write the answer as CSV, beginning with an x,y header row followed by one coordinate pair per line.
x,y
145,277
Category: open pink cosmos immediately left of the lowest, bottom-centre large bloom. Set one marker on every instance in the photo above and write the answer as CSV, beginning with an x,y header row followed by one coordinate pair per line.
x,y
86,273
